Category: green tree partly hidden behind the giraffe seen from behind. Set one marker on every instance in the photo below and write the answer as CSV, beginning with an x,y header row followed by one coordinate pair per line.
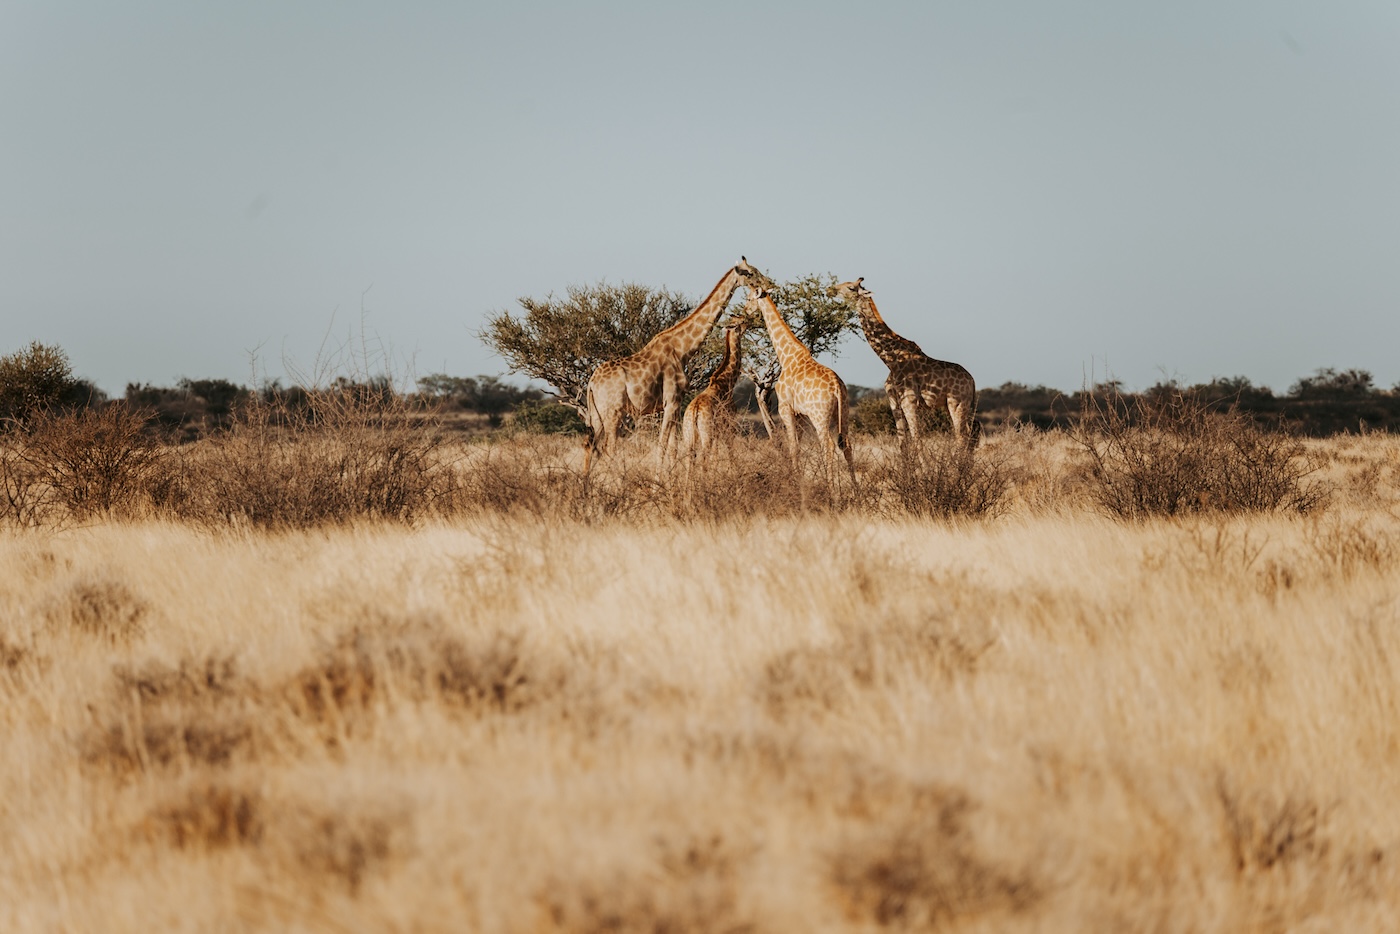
x,y
818,320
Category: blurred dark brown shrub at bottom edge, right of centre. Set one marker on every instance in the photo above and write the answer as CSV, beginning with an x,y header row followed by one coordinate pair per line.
x,y
919,867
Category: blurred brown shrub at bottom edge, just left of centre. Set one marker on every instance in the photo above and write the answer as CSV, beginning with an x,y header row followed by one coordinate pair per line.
x,y
692,886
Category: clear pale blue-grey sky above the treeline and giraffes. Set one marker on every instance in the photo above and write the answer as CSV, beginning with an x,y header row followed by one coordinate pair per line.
x,y
1193,188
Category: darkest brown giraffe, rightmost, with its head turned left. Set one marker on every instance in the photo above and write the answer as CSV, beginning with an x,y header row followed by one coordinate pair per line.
x,y
916,380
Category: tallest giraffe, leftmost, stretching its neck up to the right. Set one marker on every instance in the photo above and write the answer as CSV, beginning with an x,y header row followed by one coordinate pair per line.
x,y
654,379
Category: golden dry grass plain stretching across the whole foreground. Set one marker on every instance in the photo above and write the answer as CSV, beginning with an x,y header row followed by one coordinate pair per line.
x,y
724,702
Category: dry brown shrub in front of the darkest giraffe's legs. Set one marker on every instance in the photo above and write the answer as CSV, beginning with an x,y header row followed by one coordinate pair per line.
x,y
940,478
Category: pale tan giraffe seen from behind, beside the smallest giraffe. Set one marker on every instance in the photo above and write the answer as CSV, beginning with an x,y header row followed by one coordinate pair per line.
x,y
806,387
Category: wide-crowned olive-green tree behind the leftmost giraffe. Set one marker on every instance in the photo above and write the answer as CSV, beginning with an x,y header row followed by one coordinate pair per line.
x,y
562,341
